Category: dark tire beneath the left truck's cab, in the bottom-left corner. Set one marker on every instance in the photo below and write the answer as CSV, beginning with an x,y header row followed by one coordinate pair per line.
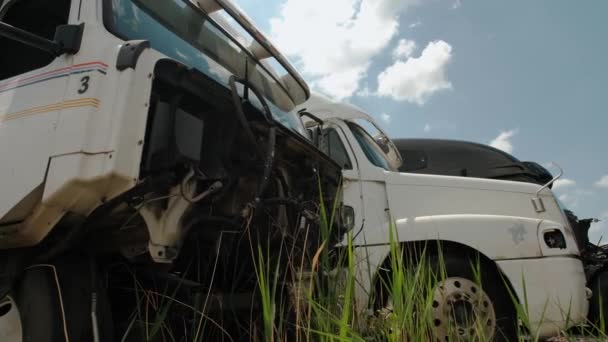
x,y
53,303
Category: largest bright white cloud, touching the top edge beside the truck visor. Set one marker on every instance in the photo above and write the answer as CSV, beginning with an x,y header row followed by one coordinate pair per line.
x,y
334,41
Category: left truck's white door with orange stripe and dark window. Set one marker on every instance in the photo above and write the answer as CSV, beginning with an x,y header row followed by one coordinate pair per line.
x,y
32,87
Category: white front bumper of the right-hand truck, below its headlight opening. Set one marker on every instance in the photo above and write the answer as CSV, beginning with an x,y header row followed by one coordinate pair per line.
x,y
554,288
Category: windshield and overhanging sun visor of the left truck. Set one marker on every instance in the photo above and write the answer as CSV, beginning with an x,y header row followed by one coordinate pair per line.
x,y
228,56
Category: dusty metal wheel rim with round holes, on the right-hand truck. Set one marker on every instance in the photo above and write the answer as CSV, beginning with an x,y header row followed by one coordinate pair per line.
x,y
462,311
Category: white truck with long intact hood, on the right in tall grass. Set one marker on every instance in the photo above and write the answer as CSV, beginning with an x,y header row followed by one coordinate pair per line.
x,y
516,230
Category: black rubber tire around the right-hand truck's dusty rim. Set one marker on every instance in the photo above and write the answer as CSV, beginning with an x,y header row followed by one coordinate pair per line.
x,y
493,285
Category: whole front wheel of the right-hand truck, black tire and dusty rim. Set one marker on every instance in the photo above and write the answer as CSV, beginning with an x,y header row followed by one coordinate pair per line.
x,y
461,308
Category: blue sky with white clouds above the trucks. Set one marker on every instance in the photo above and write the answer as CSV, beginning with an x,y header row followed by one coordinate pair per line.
x,y
528,77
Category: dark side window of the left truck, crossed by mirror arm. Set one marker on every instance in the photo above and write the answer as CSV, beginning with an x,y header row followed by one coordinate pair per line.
x,y
40,17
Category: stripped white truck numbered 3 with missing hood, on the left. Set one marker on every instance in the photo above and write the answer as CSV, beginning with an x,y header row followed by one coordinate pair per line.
x,y
149,157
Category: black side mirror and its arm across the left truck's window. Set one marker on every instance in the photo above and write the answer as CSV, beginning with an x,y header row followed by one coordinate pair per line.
x,y
68,38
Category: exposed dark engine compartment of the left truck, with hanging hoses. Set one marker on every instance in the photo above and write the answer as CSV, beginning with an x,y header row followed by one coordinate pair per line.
x,y
245,202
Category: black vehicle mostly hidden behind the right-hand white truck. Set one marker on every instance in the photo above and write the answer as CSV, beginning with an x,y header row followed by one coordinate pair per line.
x,y
468,159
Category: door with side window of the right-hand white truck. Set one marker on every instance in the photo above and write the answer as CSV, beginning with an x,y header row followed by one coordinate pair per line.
x,y
334,144
